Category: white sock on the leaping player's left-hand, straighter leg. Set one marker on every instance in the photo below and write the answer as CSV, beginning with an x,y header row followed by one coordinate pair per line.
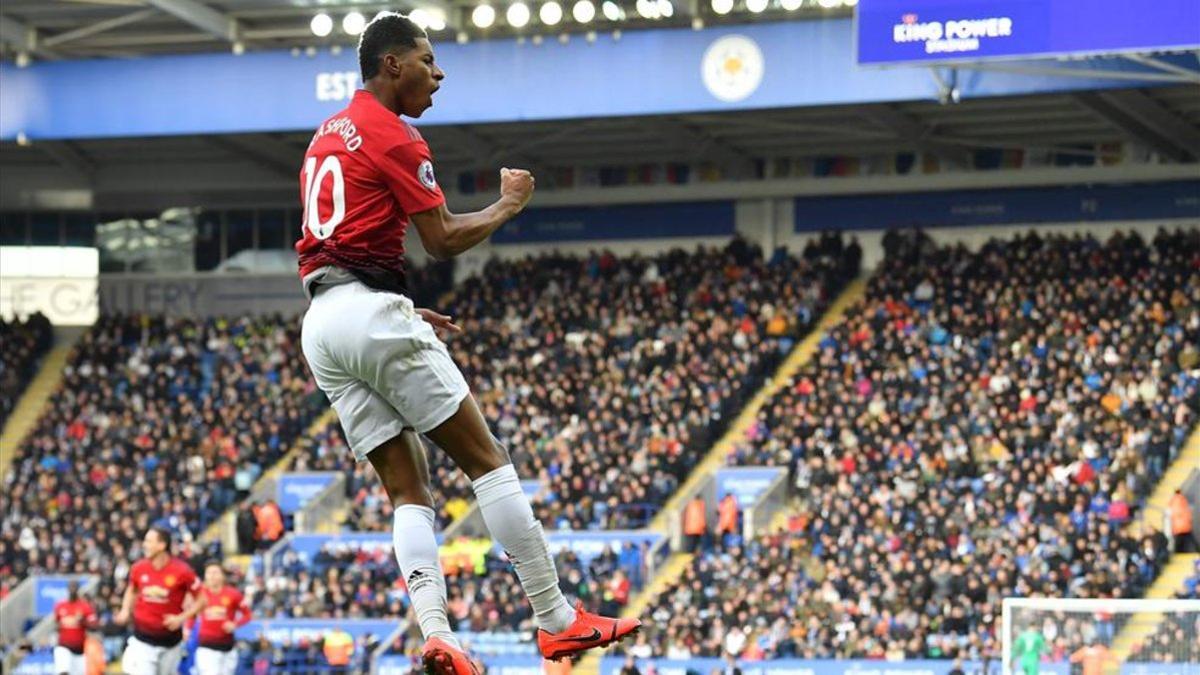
x,y
417,552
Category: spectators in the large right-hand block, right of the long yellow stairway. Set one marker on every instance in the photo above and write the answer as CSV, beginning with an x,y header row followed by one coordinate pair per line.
x,y
983,425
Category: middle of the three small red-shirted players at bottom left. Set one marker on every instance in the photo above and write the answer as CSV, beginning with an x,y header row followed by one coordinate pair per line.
x,y
161,596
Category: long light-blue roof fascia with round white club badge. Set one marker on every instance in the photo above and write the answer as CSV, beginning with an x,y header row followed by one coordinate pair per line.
x,y
754,67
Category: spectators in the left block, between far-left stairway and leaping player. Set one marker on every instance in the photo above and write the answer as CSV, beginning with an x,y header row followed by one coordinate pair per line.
x,y
158,421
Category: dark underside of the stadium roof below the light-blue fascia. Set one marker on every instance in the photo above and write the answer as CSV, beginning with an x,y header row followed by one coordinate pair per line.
x,y
1162,120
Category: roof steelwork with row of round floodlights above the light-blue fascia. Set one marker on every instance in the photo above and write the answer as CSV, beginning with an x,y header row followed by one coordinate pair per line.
x,y
73,29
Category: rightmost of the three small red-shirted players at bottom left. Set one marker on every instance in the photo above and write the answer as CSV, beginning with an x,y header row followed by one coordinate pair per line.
x,y
225,612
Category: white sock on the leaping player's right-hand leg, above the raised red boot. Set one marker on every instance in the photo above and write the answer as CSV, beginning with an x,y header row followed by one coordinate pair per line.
x,y
511,521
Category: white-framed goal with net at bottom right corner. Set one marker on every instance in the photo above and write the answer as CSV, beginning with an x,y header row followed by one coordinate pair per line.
x,y
1101,637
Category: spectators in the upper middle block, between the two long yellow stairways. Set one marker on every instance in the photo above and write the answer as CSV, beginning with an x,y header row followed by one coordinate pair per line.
x,y
604,375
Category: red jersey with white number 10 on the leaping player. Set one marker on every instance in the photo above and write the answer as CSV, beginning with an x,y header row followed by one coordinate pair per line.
x,y
365,172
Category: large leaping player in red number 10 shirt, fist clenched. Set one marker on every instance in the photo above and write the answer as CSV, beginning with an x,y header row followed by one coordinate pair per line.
x,y
367,177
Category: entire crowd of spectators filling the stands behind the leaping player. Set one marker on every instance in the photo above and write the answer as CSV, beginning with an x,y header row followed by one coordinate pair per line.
x,y
983,425
